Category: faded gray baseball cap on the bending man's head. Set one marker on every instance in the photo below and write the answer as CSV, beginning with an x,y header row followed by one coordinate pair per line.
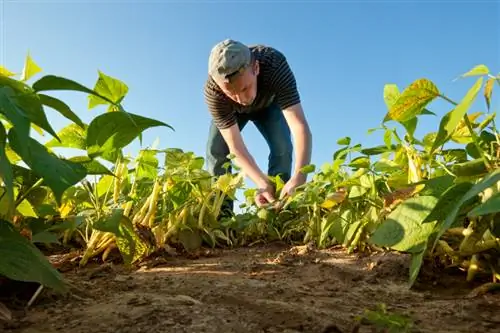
x,y
227,58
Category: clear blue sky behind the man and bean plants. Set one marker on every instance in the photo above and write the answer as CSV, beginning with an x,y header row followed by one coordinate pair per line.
x,y
342,55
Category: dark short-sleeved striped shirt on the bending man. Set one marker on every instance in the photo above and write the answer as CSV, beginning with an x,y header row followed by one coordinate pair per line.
x,y
275,84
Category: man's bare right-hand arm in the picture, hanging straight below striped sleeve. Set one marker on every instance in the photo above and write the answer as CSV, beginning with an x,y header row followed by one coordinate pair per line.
x,y
302,138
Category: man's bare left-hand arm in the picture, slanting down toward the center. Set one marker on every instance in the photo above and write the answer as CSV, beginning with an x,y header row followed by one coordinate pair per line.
x,y
234,141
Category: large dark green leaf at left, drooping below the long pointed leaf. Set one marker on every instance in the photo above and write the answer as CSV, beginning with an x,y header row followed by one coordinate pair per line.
x,y
57,173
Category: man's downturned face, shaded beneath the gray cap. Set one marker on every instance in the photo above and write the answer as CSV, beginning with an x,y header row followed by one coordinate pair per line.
x,y
242,88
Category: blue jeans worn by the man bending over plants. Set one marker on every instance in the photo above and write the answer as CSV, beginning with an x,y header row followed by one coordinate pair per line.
x,y
272,125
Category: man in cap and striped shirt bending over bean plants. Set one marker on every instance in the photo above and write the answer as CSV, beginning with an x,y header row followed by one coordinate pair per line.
x,y
256,84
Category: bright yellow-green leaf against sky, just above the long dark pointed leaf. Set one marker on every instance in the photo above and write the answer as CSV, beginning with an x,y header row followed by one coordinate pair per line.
x,y
114,90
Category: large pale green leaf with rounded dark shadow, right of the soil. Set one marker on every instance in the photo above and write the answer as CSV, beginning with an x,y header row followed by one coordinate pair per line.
x,y
404,229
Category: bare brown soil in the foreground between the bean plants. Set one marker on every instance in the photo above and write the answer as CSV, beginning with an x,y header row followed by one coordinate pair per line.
x,y
264,288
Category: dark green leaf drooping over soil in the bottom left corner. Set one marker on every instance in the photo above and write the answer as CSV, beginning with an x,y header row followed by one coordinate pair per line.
x,y
20,260
